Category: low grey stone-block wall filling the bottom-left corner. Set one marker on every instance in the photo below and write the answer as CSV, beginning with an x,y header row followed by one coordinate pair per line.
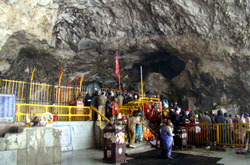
x,y
37,145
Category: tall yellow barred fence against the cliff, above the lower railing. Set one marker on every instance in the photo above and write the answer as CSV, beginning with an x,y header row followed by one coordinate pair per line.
x,y
39,93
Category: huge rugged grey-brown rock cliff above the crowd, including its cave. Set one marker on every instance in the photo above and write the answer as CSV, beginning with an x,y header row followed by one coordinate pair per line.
x,y
194,51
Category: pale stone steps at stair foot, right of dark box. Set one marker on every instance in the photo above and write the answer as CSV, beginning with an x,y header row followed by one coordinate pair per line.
x,y
139,147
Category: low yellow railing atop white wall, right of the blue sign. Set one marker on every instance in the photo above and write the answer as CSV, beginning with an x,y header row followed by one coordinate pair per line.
x,y
63,113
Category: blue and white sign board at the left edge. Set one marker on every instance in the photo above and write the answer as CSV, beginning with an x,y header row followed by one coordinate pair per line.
x,y
7,108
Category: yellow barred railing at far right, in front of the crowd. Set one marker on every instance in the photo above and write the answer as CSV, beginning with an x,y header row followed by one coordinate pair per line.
x,y
218,134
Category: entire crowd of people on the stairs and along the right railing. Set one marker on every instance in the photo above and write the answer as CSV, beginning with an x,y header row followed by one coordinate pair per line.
x,y
166,118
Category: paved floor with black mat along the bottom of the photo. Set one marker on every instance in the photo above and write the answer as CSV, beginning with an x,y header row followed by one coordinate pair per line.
x,y
197,155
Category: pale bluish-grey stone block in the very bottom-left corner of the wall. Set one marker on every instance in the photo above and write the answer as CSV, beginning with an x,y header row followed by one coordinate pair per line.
x,y
8,157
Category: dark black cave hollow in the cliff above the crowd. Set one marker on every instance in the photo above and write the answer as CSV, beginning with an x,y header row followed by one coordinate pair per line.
x,y
161,62
